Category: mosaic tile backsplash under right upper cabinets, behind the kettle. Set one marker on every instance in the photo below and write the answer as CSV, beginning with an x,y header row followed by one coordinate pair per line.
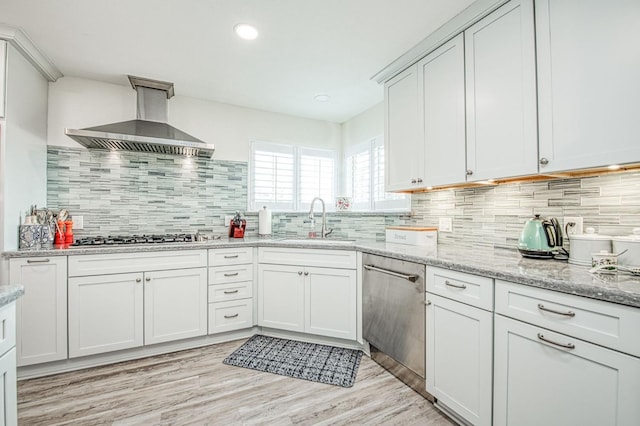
x,y
494,216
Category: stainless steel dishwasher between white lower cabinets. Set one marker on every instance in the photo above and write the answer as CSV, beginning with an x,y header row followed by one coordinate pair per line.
x,y
393,317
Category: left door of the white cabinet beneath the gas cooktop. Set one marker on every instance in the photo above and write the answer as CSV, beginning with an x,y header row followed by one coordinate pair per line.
x,y
105,313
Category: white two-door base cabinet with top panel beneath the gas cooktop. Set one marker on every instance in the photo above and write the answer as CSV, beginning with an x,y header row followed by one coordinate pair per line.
x,y
122,301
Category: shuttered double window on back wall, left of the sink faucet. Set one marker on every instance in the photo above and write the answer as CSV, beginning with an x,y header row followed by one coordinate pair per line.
x,y
288,177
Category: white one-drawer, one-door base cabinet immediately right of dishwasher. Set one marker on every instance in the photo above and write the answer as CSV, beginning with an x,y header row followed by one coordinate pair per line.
x,y
459,343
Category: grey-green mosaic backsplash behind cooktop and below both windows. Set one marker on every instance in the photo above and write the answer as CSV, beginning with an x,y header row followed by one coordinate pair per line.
x,y
138,193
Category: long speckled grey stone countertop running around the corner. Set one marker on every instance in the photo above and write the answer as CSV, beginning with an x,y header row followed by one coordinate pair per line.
x,y
508,265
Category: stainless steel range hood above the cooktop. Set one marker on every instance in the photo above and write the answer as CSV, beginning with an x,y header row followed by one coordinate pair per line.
x,y
149,132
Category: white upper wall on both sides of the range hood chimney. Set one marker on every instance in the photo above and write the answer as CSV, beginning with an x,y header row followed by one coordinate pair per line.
x,y
79,103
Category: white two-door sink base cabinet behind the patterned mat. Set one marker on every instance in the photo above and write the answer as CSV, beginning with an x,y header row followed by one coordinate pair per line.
x,y
308,290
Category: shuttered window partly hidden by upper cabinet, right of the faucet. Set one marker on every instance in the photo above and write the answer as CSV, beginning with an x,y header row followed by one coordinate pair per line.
x,y
364,179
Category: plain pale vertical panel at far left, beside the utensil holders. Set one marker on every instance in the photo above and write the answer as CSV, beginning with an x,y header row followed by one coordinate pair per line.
x,y
24,146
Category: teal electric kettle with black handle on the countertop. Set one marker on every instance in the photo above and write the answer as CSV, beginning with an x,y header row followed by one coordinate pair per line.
x,y
540,238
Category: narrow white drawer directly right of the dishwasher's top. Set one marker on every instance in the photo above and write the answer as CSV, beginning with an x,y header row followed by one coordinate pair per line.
x,y
466,288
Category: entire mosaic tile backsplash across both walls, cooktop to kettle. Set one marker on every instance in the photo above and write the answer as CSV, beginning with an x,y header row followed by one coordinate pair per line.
x,y
138,193
